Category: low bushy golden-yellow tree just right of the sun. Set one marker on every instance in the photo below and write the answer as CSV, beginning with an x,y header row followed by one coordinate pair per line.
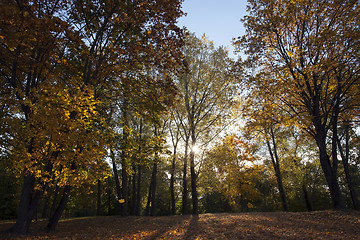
x,y
234,162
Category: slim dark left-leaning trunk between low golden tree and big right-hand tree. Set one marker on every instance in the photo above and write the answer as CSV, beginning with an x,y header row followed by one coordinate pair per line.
x,y
276,165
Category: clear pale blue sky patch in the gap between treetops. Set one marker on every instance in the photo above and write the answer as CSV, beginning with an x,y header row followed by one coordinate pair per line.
x,y
218,19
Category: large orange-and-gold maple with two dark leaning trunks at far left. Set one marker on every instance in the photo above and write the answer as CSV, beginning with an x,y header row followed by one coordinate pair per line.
x,y
61,61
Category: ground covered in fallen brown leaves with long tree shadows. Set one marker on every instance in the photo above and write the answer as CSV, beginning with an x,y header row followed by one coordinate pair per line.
x,y
274,225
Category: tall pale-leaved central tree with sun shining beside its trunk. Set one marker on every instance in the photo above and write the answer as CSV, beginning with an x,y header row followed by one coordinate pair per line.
x,y
207,91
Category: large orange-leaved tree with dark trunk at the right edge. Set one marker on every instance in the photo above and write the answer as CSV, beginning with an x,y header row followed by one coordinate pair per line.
x,y
294,42
